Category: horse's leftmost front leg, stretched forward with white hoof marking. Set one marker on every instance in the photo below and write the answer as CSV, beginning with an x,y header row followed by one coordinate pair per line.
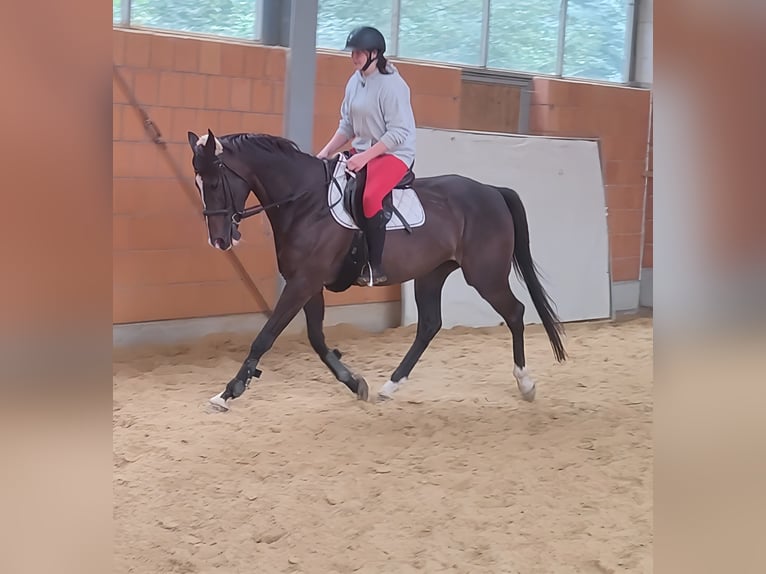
x,y
295,295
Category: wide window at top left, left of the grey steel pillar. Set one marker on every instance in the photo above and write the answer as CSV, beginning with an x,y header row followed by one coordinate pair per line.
x,y
232,18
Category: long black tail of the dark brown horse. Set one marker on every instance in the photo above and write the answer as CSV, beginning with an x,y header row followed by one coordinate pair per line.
x,y
526,268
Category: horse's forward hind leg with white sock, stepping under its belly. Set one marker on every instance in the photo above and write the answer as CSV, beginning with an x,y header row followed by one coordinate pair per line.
x,y
428,291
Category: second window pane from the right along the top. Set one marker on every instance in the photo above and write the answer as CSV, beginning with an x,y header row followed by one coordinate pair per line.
x,y
523,35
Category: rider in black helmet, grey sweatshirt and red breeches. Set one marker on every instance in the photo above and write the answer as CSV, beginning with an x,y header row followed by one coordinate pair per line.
x,y
376,114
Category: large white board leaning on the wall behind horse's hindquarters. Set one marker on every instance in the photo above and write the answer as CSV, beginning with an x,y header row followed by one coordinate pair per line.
x,y
560,182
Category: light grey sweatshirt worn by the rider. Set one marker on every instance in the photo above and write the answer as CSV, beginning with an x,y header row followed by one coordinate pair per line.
x,y
377,108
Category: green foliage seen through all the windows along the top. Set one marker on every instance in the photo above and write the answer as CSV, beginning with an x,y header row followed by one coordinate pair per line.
x,y
523,34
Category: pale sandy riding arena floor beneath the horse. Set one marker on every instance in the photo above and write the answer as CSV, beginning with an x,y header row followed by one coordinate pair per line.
x,y
457,474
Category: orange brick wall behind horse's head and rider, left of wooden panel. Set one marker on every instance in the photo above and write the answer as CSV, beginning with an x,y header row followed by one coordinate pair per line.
x,y
163,266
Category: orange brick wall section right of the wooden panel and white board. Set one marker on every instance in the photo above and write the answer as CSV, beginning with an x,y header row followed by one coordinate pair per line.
x,y
619,117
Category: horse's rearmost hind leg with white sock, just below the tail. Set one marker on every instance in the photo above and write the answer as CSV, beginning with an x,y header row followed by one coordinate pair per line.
x,y
495,289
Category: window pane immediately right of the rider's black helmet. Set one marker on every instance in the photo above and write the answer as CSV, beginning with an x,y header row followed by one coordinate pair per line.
x,y
441,30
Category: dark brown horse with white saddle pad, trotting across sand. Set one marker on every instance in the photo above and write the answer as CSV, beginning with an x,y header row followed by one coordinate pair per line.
x,y
480,228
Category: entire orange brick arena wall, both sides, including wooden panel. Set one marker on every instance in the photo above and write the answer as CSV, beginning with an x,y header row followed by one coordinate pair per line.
x,y
163,268
